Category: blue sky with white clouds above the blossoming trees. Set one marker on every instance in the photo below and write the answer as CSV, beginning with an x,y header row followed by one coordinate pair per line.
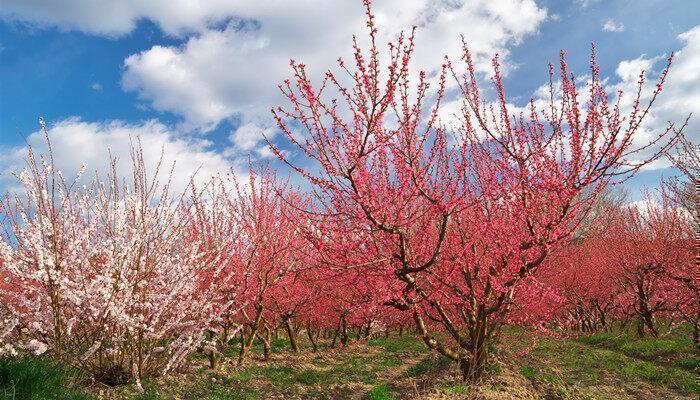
x,y
195,81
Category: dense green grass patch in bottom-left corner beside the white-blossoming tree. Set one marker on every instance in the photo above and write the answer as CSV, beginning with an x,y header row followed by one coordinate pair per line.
x,y
37,378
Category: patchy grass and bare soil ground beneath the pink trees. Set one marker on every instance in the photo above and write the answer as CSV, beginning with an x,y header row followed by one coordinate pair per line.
x,y
602,366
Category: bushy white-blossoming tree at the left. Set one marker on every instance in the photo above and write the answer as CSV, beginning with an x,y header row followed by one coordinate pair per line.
x,y
104,276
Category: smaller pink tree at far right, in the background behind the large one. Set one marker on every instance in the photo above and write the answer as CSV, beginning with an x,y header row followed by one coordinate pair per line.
x,y
646,248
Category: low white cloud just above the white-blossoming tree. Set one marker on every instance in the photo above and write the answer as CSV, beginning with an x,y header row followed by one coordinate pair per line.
x,y
75,142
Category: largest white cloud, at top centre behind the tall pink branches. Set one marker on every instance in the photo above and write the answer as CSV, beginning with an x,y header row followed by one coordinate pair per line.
x,y
234,71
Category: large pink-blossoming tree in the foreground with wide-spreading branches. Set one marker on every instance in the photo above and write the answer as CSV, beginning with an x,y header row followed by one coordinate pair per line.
x,y
462,217
